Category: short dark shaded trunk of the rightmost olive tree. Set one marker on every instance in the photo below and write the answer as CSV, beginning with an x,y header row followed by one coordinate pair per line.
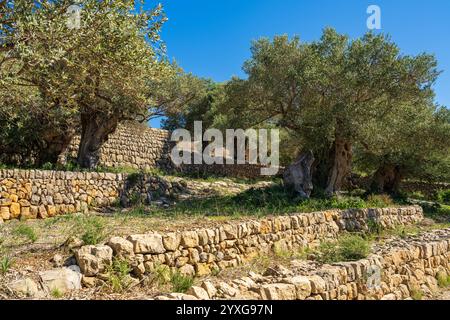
x,y
387,179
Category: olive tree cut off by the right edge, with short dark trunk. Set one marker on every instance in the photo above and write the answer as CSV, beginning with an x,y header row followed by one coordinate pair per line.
x,y
413,145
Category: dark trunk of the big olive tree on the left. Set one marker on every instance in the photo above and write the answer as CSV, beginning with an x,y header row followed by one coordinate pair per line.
x,y
95,129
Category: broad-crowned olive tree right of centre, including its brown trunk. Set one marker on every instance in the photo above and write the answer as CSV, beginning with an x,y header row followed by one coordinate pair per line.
x,y
331,93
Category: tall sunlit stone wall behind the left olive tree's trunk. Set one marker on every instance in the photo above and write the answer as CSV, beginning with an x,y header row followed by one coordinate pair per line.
x,y
132,145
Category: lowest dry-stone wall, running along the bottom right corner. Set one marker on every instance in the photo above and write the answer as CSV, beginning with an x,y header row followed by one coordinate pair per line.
x,y
398,270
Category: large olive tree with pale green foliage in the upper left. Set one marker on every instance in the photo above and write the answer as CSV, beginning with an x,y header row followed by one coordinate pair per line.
x,y
91,77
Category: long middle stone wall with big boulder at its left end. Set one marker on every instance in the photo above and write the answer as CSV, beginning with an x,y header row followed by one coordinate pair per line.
x,y
198,252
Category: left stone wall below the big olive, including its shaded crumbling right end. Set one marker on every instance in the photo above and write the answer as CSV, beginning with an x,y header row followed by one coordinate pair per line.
x,y
31,194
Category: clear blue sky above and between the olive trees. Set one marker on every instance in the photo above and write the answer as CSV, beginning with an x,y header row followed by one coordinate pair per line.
x,y
211,38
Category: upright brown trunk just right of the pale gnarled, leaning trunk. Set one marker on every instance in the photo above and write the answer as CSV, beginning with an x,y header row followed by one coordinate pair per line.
x,y
340,165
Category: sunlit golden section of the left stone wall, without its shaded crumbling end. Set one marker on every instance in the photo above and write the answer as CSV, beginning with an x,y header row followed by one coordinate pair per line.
x,y
32,194
